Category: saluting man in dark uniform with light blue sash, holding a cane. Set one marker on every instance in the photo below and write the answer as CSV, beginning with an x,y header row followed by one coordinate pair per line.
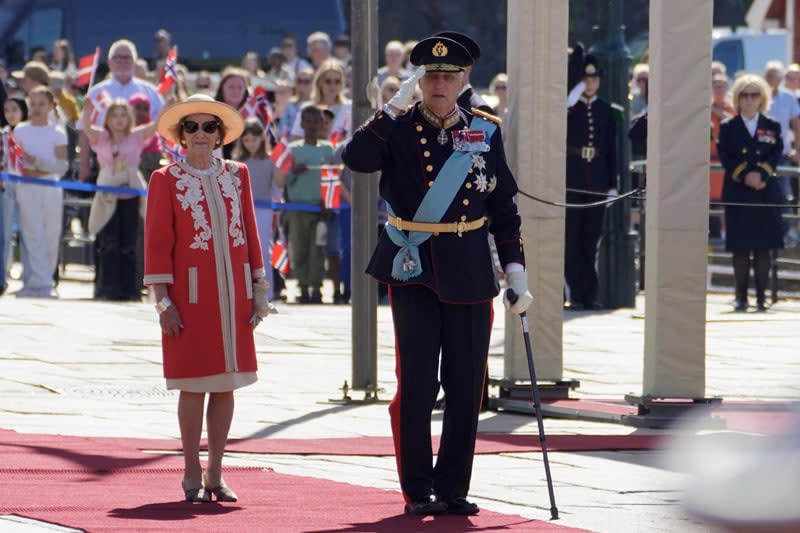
x,y
446,183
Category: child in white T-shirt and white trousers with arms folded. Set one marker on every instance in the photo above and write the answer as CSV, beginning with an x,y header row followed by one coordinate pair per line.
x,y
44,150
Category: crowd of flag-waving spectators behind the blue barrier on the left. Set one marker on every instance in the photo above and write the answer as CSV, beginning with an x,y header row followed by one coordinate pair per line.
x,y
103,133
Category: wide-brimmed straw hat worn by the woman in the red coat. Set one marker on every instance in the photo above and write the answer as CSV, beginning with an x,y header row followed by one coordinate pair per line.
x,y
200,104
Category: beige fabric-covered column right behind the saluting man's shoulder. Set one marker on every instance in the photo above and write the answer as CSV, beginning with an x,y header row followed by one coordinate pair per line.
x,y
535,133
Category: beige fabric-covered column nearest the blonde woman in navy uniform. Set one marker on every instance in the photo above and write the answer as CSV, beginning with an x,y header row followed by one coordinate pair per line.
x,y
677,198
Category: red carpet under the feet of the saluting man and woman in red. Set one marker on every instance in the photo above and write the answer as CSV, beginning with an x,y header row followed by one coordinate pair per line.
x,y
102,485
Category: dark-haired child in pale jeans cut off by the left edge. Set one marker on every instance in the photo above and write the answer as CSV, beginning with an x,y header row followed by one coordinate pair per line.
x,y
15,110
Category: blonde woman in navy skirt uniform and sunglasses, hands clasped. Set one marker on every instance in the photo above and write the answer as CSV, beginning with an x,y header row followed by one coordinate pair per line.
x,y
749,148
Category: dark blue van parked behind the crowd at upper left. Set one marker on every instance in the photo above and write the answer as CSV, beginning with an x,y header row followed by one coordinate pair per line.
x,y
209,33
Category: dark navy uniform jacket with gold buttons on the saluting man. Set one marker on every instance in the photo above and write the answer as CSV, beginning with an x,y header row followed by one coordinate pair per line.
x,y
406,151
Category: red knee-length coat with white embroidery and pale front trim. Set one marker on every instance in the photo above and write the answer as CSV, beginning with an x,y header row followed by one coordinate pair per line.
x,y
201,239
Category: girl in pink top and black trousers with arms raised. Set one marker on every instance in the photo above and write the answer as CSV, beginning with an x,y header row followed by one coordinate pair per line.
x,y
114,218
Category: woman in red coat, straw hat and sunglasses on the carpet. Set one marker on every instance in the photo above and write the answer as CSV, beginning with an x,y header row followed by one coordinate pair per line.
x,y
203,262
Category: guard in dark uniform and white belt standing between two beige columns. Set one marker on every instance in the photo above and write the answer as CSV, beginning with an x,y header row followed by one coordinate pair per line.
x,y
591,167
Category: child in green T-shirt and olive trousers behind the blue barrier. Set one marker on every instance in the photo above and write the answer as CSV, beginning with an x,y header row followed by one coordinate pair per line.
x,y
303,187
